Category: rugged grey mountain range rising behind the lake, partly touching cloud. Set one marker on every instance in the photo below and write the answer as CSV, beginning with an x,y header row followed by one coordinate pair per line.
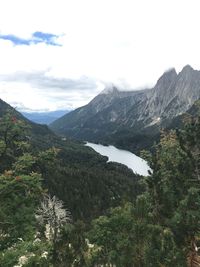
x,y
132,119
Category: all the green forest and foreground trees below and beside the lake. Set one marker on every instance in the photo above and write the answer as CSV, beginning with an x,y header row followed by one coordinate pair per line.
x,y
63,205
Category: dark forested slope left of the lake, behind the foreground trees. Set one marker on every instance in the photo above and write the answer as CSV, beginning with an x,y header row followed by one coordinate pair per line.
x,y
80,177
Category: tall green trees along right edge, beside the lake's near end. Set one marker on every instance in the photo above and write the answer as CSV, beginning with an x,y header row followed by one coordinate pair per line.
x,y
174,189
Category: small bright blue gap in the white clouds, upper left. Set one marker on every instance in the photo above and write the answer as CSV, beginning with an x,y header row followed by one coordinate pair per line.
x,y
37,37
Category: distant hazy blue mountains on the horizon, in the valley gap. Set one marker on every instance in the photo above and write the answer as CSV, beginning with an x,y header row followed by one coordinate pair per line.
x,y
44,117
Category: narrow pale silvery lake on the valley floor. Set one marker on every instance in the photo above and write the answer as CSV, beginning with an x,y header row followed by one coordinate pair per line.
x,y
137,164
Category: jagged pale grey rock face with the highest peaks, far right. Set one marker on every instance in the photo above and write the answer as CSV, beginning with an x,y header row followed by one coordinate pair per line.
x,y
173,94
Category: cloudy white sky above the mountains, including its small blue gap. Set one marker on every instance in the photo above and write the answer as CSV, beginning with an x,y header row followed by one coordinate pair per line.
x,y
59,54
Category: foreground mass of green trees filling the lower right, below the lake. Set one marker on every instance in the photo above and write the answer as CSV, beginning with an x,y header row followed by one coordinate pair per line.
x,y
162,227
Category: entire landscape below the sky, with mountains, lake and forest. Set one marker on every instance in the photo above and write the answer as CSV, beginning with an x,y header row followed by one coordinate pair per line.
x,y
94,205
